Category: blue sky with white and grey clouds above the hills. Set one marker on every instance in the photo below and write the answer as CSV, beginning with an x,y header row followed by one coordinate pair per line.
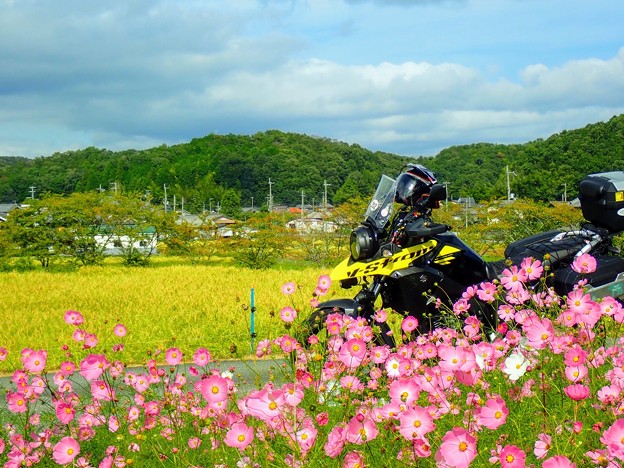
x,y
410,77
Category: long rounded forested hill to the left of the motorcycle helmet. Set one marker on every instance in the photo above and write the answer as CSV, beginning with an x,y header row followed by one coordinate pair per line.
x,y
206,169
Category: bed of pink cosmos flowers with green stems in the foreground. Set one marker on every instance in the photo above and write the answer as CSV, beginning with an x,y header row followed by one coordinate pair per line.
x,y
547,389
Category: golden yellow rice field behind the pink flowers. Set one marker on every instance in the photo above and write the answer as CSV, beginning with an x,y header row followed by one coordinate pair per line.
x,y
162,306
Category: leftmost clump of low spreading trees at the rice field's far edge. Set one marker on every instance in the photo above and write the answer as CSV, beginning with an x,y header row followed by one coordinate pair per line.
x,y
76,228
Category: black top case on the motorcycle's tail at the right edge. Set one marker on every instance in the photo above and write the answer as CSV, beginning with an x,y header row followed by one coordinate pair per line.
x,y
602,200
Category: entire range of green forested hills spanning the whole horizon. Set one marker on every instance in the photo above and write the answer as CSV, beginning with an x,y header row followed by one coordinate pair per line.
x,y
207,169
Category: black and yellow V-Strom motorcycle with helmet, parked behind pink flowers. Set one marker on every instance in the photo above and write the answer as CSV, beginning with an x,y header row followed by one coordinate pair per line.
x,y
417,266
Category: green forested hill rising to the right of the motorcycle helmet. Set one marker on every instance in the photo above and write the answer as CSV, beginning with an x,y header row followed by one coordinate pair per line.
x,y
541,169
